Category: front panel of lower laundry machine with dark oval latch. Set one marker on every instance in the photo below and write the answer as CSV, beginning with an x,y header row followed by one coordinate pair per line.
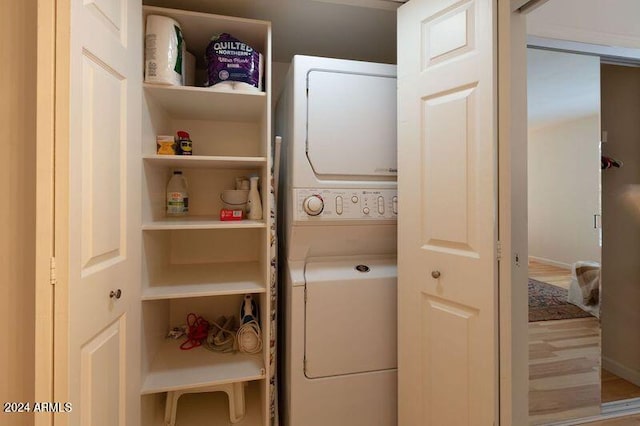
x,y
350,317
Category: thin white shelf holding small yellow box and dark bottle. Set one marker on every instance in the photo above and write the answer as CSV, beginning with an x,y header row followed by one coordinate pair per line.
x,y
203,161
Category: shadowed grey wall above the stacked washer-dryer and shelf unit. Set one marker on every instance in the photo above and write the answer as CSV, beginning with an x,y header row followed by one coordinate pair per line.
x,y
317,28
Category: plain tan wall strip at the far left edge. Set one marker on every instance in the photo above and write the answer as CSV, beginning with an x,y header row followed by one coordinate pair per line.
x,y
17,237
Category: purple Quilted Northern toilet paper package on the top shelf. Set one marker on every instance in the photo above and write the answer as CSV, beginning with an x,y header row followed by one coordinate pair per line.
x,y
233,64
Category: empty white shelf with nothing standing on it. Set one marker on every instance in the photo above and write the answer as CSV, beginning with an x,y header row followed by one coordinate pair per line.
x,y
211,279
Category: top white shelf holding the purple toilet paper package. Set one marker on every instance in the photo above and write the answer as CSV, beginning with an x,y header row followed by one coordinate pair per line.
x,y
202,103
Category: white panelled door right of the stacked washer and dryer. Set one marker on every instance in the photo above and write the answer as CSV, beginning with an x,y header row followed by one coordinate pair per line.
x,y
447,225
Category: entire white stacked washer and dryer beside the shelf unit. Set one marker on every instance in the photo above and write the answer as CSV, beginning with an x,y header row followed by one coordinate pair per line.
x,y
337,216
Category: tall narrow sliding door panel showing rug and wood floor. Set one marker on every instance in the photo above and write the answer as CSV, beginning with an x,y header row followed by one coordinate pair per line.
x,y
563,165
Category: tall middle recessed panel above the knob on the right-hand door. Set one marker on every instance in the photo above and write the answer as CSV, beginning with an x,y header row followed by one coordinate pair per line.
x,y
449,117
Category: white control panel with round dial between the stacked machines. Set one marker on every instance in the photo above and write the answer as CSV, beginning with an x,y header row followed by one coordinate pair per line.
x,y
345,204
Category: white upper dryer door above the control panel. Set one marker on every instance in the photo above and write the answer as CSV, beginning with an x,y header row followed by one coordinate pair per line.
x,y
351,127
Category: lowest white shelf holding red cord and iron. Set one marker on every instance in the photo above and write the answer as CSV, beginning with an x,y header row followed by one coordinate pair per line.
x,y
174,369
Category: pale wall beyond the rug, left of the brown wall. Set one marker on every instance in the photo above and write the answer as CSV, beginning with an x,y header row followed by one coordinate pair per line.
x,y
564,166
